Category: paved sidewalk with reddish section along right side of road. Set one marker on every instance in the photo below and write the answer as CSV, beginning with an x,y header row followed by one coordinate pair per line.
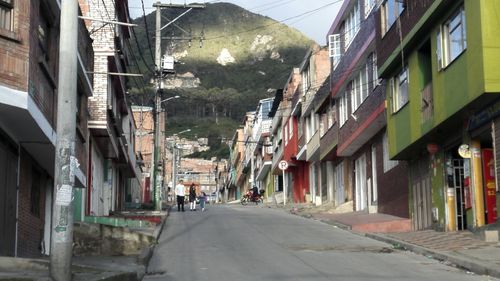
x,y
462,248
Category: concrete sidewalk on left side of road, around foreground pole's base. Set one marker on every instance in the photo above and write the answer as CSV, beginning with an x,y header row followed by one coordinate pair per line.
x,y
85,268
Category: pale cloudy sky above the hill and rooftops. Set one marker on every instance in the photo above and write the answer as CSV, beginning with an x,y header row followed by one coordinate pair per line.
x,y
311,17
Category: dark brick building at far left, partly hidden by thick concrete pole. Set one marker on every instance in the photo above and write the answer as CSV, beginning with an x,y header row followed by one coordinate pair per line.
x,y
29,54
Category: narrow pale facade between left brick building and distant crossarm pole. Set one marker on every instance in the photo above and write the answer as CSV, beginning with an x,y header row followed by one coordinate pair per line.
x,y
112,161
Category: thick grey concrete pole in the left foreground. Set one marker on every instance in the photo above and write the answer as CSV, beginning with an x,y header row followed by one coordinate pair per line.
x,y
65,162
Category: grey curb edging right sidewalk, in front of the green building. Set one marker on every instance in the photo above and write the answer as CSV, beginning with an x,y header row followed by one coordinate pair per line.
x,y
456,260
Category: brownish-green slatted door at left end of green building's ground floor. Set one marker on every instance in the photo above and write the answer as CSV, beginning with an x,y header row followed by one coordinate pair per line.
x,y
422,201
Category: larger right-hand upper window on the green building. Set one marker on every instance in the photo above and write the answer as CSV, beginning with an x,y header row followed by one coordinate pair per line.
x,y
451,39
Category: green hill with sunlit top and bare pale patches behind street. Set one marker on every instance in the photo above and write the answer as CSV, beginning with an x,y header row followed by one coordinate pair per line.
x,y
243,57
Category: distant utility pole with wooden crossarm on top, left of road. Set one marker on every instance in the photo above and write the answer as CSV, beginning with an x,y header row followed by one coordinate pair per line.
x,y
159,71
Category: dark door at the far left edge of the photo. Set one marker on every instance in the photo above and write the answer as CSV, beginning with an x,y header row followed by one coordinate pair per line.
x,y
8,199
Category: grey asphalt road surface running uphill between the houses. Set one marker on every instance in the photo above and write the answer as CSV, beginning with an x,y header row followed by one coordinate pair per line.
x,y
258,243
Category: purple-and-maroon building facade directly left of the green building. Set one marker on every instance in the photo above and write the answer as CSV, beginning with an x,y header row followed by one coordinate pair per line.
x,y
359,169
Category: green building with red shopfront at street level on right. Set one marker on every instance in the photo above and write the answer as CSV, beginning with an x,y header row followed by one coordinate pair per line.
x,y
440,61
